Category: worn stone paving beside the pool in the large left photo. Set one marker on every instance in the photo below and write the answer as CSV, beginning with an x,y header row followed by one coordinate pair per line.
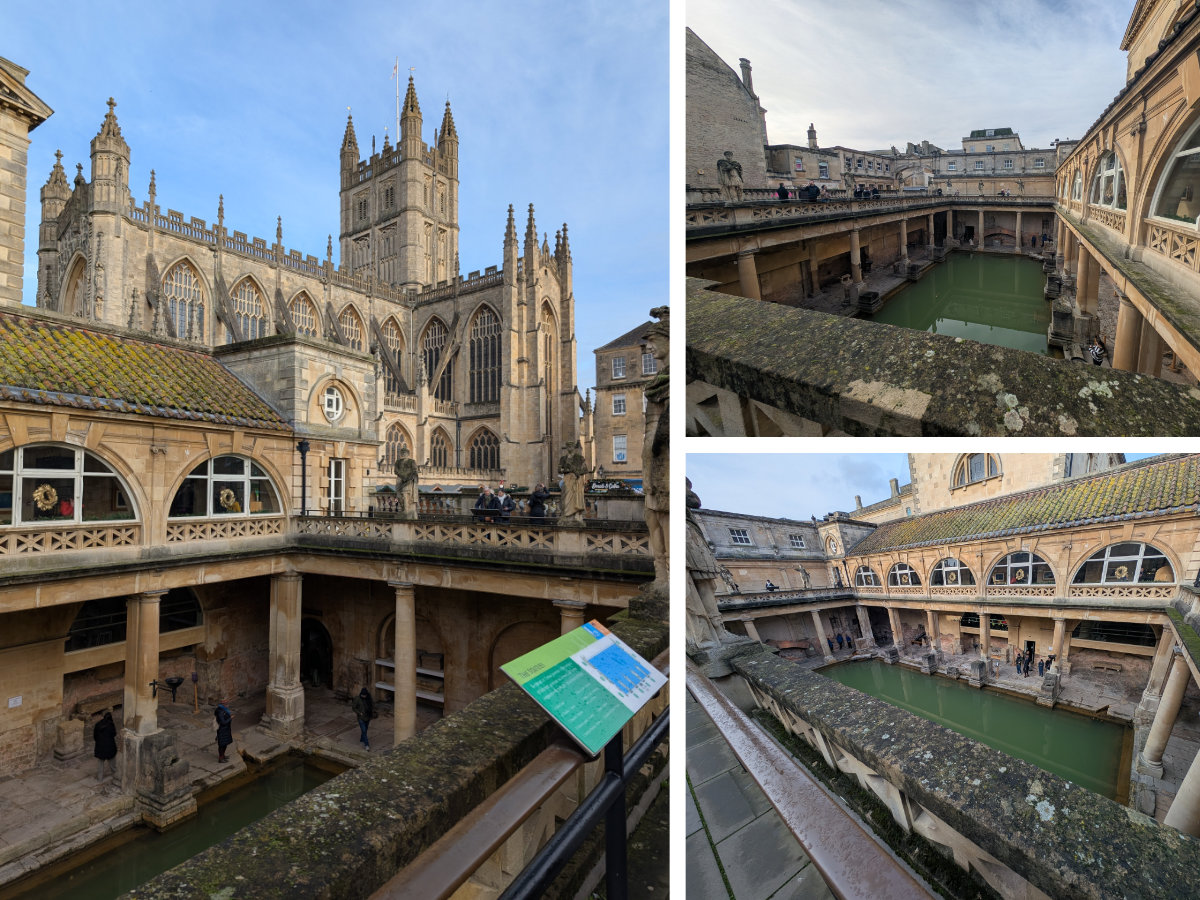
x,y
58,807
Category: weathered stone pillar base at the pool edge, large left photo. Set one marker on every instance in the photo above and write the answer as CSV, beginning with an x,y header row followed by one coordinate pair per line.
x,y
153,769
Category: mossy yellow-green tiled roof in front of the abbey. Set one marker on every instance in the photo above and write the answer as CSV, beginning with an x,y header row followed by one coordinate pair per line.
x,y
44,362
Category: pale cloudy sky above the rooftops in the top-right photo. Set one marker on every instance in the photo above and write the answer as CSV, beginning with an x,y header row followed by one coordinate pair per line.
x,y
872,74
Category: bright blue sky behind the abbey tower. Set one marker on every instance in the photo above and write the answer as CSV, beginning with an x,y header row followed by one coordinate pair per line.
x,y
559,105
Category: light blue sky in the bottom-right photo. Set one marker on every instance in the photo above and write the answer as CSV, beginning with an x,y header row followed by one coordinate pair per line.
x,y
800,485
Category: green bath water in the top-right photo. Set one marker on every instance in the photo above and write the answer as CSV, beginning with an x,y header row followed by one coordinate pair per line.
x,y
992,299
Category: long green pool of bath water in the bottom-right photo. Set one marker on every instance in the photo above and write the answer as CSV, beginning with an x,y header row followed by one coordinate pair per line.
x,y
1081,749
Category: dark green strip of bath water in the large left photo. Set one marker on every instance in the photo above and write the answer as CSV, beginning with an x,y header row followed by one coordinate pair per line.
x,y
146,854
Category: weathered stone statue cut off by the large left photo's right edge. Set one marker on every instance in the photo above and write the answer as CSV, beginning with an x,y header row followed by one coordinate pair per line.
x,y
657,446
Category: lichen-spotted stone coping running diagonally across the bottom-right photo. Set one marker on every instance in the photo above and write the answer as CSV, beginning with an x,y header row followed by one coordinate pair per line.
x,y
1064,839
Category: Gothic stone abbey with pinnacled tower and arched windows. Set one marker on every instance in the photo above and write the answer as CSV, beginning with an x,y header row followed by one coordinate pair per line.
x,y
475,375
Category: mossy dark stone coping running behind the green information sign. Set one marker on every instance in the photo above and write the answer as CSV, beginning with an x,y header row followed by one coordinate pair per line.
x,y
349,837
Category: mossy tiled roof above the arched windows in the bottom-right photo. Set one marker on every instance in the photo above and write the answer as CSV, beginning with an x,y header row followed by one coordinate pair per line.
x,y
1143,489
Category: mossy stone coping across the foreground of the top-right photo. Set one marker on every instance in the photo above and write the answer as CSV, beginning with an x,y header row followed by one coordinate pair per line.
x,y
867,379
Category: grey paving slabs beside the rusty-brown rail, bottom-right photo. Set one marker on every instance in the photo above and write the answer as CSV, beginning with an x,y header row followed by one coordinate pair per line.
x,y
731,827
